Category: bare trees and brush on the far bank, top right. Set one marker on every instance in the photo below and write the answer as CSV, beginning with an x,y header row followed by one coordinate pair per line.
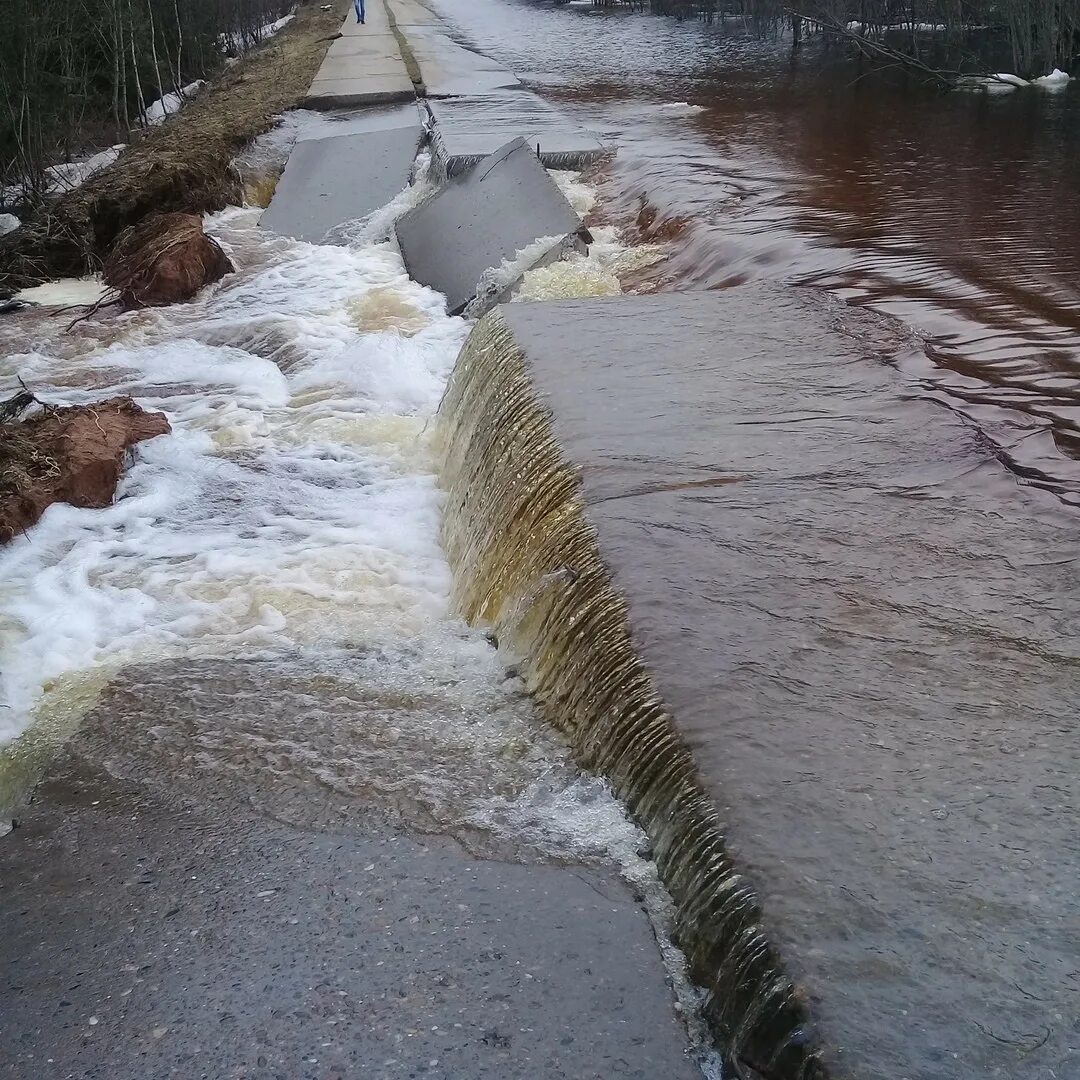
x,y
1041,35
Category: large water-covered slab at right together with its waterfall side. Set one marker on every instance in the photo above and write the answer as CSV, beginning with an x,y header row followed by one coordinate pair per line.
x,y
679,515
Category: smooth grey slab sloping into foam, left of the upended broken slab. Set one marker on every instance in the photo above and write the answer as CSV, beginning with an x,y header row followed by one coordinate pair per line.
x,y
332,181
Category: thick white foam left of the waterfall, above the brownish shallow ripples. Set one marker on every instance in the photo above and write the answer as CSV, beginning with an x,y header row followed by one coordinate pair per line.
x,y
288,507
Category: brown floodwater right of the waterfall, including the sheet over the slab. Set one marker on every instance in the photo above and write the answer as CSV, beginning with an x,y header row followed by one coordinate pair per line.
x,y
847,532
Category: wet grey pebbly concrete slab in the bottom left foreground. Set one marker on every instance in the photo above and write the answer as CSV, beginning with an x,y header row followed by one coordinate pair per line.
x,y
171,926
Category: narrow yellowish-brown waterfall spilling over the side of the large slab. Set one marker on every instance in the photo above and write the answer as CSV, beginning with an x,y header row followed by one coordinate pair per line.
x,y
528,564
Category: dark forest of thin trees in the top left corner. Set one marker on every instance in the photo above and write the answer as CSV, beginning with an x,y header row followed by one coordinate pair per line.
x,y
82,74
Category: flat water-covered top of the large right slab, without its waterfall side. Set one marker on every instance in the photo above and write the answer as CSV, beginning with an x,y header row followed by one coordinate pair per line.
x,y
823,587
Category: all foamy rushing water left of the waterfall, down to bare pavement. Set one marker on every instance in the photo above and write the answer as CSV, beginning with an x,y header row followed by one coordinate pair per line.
x,y
292,517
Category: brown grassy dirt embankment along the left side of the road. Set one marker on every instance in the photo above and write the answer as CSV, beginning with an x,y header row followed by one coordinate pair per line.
x,y
183,166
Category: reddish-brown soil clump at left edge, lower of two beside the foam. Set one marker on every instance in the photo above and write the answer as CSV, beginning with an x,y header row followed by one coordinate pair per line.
x,y
73,455
